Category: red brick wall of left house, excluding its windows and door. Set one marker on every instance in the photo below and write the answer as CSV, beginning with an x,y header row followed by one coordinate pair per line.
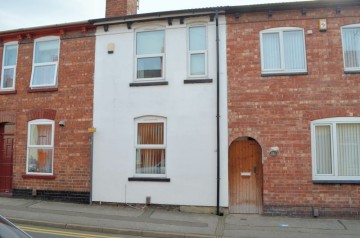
x,y
72,102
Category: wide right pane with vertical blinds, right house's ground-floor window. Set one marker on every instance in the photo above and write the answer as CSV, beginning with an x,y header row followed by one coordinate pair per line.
x,y
348,147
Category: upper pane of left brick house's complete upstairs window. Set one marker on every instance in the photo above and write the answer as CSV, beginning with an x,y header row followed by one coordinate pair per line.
x,y
47,51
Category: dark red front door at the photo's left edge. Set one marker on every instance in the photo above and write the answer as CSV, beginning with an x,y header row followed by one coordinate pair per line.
x,y
6,156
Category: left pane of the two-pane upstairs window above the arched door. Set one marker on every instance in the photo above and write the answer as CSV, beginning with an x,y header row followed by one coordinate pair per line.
x,y
271,51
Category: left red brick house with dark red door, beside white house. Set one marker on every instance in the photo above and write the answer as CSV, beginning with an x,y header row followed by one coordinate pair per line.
x,y
45,111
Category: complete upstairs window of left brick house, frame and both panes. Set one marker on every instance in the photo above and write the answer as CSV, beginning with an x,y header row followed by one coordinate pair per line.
x,y
45,62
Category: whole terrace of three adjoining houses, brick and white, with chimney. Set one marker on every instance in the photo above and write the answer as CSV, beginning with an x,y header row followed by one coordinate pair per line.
x,y
243,109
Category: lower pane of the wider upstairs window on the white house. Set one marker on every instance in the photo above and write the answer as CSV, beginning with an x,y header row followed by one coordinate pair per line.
x,y
149,67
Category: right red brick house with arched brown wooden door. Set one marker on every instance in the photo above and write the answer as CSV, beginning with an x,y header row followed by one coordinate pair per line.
x,y
294,108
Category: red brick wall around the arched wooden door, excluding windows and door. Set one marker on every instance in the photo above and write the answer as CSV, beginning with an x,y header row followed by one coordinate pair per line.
x,y
277,111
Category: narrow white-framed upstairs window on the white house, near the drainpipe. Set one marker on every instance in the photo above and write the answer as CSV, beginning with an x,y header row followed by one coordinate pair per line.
x,y
197,51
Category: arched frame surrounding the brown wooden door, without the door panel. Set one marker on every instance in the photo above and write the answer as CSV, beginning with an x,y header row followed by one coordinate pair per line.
x,y
260,162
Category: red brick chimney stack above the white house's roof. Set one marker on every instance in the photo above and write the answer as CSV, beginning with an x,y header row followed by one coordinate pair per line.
x,y
115,8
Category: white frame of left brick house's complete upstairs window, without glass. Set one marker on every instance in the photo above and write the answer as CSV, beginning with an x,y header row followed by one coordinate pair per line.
x,y
56,64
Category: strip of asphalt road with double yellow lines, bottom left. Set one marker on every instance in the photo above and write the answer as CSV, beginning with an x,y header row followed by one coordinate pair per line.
x,y
48,232
